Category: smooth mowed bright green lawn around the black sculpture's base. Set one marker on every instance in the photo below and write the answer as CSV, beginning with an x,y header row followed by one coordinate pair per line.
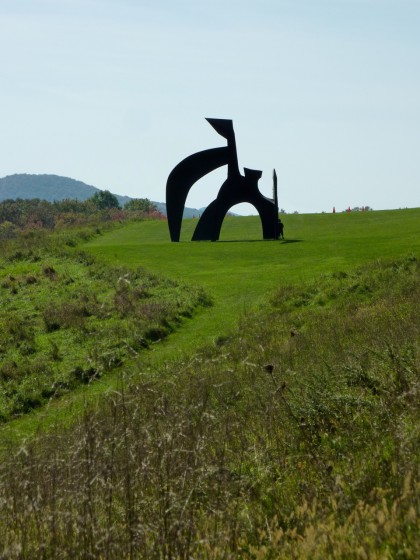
x,y
241,270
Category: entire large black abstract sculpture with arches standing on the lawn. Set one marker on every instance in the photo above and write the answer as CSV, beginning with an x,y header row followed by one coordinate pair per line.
x,y
236,189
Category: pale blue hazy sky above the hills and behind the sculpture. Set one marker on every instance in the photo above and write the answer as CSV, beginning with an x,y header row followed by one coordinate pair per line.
x,y
115,92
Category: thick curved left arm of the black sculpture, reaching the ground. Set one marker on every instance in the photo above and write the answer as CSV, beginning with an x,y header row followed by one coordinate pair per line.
x,y
182,178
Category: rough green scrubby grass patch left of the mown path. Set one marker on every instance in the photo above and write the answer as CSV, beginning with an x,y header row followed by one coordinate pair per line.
x,y
66,320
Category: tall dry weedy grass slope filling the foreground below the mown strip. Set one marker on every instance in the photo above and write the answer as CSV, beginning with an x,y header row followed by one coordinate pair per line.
x,y
297,438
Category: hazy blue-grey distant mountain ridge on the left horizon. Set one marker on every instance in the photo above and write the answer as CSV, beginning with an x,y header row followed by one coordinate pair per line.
x,y
55,187
